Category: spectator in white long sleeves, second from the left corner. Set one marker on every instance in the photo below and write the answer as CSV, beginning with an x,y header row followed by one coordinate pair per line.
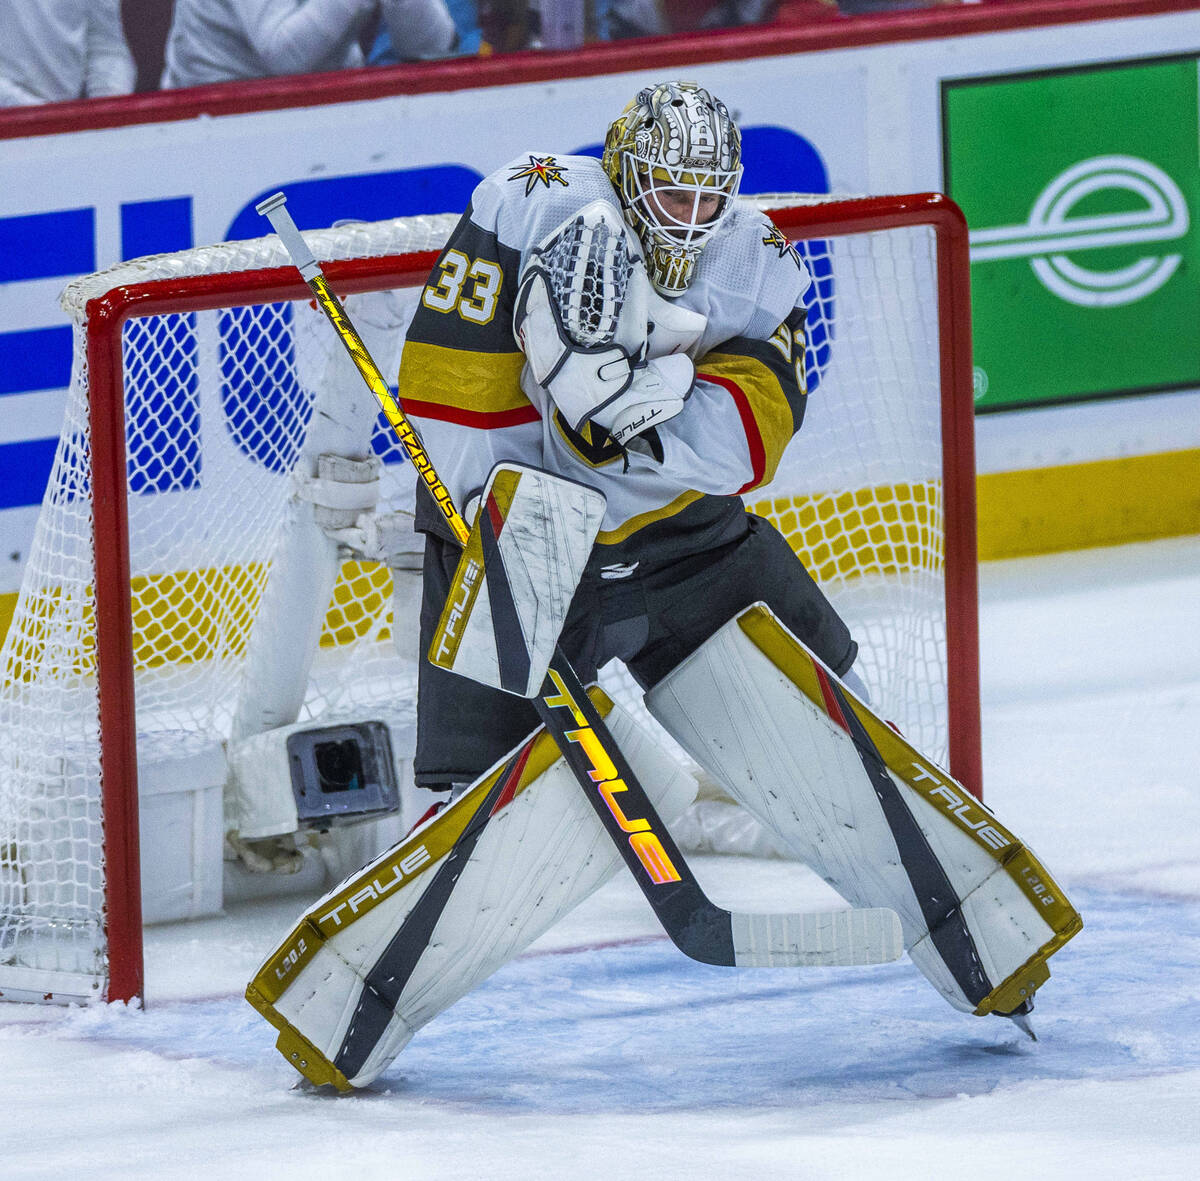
x,y
227,40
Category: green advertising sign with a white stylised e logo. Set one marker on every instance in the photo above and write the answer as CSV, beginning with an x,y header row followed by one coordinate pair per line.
x,y
1082,189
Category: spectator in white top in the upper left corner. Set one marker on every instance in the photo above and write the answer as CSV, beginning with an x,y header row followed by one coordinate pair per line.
x,y
52,51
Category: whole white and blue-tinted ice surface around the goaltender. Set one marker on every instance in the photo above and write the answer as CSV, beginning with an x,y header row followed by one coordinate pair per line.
x,y
604,1054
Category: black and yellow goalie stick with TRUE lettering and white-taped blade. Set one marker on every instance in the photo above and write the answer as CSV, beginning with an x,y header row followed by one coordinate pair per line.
x,y
701,930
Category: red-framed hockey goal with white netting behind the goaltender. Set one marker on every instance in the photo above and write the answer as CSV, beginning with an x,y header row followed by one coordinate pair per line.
x,y
193,391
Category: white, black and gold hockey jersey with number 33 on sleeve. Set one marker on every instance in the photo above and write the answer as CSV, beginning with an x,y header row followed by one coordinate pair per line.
x,y
461,370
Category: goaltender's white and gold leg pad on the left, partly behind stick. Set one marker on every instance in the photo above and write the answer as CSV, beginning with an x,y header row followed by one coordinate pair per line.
x,y
541,854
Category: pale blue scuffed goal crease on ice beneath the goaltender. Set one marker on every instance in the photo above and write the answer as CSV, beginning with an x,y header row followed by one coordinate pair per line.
x,y
635,1028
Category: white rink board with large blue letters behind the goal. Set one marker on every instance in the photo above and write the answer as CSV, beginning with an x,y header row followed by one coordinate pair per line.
x,y
74,205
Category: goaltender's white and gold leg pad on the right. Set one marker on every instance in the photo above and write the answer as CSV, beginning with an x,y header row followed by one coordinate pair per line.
x,y
781,733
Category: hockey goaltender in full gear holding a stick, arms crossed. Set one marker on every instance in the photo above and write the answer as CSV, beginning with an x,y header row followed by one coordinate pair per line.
x,y
607,356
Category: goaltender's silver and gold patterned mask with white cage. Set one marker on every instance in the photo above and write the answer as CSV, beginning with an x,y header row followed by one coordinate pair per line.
x,y
675,157
